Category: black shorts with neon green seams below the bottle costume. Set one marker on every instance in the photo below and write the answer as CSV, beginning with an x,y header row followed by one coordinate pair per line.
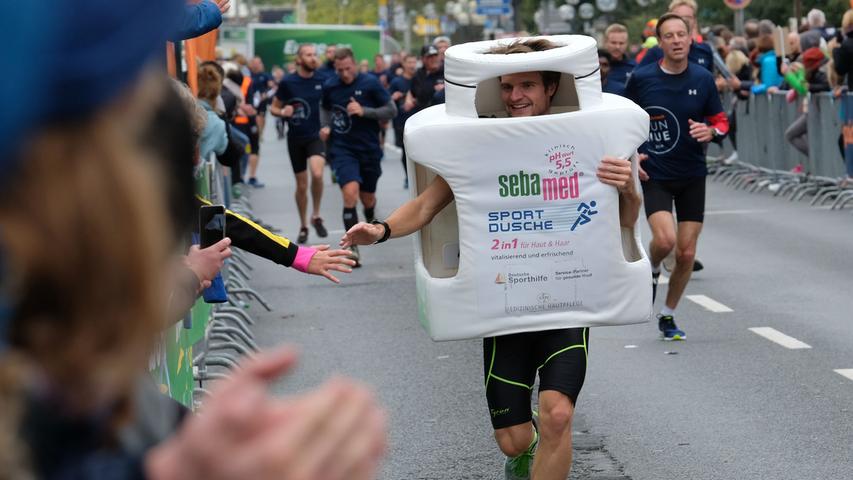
x,y
511,362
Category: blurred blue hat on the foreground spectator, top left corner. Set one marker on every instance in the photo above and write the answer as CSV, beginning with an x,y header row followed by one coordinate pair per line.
x,y
73,57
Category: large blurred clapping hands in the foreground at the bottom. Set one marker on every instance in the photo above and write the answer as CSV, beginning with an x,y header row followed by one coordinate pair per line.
x,y
334,432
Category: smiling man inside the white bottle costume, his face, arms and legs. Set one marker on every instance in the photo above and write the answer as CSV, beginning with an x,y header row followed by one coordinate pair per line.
x,y
511,362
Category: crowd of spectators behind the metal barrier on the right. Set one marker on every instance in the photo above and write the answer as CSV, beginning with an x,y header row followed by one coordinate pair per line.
x,y
764,59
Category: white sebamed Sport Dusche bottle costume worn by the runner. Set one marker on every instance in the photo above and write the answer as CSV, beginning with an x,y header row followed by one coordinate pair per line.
x,y
533,240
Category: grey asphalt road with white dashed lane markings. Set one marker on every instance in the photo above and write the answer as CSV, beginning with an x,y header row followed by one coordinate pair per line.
x,y
726,404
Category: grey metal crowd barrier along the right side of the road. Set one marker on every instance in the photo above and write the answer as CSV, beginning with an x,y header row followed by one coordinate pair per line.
x,y
766,160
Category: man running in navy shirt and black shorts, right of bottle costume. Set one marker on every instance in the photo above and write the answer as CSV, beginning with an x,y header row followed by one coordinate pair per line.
x,y
679,96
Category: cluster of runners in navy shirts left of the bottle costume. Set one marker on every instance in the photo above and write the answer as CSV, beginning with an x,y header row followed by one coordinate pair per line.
x,y
337,113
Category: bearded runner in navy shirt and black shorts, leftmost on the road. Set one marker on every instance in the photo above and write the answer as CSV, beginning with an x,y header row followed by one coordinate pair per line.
x,y
298,100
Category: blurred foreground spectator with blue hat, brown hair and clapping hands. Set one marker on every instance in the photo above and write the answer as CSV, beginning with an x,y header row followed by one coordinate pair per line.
x,y
85,251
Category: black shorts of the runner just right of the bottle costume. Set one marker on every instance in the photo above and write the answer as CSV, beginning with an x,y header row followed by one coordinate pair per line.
x,y
687,194
